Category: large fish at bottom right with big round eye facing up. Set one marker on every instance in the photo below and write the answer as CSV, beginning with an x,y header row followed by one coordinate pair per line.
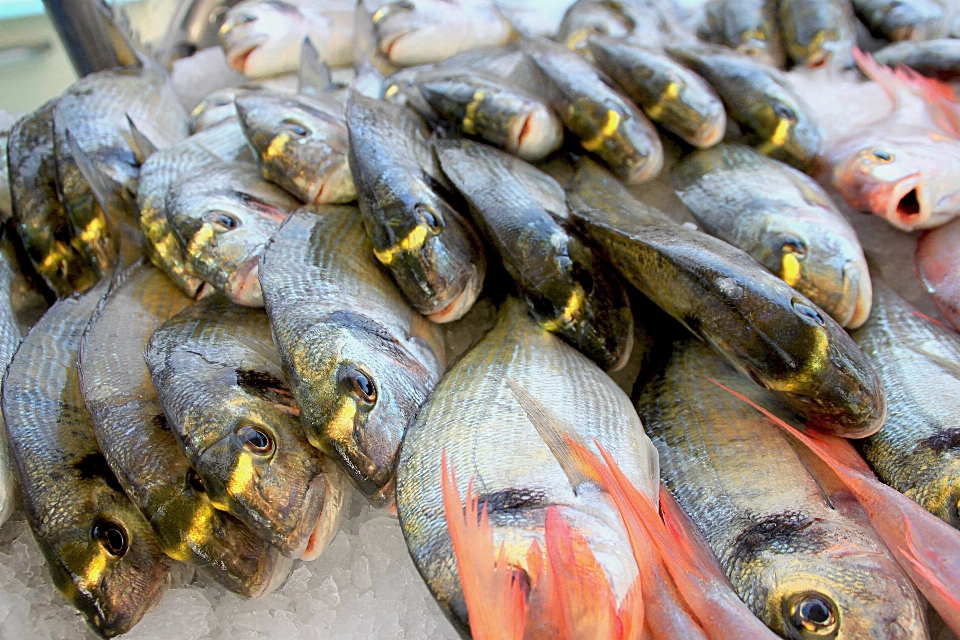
x,y
800,555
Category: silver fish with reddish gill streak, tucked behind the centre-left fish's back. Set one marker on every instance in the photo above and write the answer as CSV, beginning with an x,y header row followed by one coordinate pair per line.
x,y
222,218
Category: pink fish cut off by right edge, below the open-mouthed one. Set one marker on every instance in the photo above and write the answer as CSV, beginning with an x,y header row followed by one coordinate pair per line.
x,y
937,260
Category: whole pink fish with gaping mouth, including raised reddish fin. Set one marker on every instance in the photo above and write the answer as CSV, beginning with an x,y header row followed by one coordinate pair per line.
x,y
904,167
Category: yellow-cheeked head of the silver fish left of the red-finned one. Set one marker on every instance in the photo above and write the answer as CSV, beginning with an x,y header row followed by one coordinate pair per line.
x,y
358,389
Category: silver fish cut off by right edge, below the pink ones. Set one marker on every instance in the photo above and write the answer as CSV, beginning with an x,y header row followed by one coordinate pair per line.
x,y
917,451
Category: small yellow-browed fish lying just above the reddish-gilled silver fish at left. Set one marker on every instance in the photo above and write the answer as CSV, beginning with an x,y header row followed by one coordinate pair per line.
x,y
301,144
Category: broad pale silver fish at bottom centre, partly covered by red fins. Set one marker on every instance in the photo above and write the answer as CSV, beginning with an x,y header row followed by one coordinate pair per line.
x,y
493,438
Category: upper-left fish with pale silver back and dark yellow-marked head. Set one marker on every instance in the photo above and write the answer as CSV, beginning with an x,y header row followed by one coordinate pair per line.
x,y
99,112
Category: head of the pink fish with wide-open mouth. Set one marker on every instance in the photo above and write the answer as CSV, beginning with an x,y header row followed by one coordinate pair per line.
x,y
901,178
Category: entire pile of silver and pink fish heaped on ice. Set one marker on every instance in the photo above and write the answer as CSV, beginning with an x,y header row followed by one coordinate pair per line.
x,y
447,267
